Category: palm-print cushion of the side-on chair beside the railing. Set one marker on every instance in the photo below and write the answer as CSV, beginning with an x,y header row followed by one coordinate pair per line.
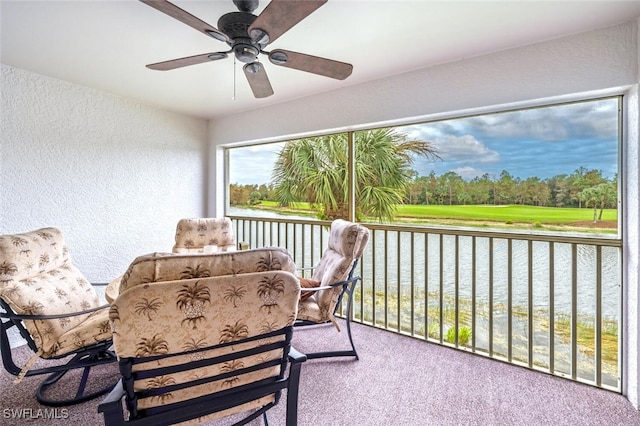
x,y
347,241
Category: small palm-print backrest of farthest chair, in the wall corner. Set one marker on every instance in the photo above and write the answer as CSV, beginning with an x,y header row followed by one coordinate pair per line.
x,y
193,234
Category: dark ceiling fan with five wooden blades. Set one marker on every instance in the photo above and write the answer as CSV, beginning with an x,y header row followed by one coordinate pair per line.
x,y
248,35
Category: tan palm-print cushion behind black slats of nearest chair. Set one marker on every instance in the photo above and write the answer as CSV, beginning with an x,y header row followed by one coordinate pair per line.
x,y
173,317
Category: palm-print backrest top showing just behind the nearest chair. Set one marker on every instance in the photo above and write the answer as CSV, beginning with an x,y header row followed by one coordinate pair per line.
x,y
171,267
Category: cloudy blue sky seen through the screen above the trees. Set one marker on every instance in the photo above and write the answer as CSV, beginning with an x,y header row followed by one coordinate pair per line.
x,y
542,142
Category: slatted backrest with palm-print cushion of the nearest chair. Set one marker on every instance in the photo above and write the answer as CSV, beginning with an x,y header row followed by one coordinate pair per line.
x,y
218,338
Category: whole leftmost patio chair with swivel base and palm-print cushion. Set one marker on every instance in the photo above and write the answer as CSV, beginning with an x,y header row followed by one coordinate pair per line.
x,y
55,310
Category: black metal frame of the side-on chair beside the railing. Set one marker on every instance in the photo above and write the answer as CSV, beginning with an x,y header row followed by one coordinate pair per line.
x,y
348,288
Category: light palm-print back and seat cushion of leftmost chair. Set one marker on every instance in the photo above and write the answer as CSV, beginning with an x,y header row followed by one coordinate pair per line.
x,y
38,277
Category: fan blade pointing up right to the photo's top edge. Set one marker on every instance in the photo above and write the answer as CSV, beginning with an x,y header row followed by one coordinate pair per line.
x,y
279,16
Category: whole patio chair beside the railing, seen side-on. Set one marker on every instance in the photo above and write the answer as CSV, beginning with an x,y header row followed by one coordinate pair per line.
x,y
334,277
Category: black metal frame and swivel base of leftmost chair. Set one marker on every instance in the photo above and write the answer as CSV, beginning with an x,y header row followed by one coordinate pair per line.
x,y
85,358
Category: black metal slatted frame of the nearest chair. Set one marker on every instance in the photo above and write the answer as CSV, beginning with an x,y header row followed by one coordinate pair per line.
x,y
170,413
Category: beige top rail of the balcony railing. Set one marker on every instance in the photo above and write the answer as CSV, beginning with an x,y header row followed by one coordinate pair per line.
x,y
601,240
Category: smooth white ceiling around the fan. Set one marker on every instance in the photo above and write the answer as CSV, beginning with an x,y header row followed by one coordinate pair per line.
x,y
106,44
